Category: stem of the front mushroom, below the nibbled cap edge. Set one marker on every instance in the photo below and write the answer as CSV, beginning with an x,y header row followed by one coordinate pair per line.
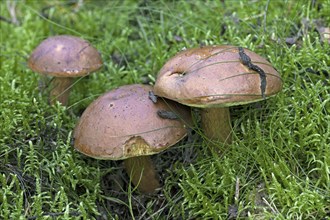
x,y
142,173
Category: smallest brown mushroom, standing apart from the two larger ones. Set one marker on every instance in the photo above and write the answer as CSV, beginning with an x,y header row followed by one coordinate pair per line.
x,y
64,57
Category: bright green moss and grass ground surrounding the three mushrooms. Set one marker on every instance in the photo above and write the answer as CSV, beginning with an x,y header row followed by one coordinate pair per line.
x,y
276,168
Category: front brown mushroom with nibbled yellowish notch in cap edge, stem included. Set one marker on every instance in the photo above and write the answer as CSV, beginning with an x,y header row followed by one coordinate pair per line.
x,y
127,124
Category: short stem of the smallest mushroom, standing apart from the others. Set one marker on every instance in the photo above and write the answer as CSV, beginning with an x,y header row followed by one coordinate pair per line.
x,y
60,90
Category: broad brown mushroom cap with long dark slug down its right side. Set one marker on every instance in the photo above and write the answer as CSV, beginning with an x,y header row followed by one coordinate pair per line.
x,y
214,76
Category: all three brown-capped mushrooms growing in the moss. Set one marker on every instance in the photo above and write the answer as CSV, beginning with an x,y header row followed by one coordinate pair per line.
x,y
132,122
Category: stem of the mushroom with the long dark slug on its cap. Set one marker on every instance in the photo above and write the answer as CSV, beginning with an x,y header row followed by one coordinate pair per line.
x,y
216,124
